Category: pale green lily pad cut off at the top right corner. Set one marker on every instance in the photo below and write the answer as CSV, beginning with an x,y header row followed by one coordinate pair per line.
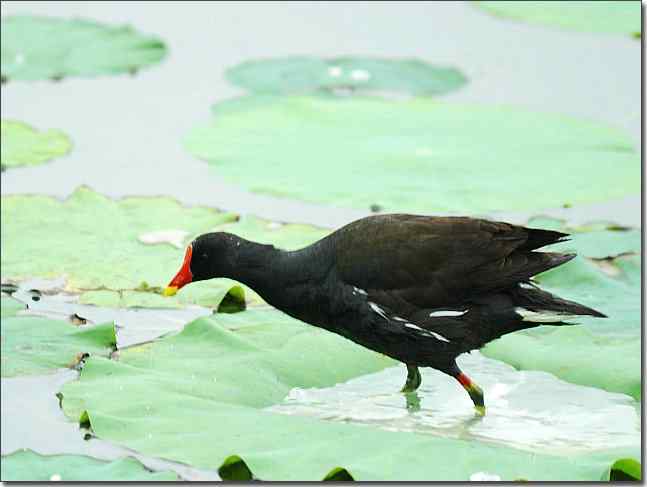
x,y
586,16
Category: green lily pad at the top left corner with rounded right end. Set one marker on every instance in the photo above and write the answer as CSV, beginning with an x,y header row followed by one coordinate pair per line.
x,y
35,48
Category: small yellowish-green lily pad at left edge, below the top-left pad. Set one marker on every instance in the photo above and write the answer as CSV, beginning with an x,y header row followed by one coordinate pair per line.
x,y
22,145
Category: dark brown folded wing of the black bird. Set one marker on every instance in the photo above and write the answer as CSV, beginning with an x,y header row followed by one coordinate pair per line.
x,y
409,261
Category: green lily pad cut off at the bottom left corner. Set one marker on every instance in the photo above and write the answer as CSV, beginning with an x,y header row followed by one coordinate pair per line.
x,y
26,465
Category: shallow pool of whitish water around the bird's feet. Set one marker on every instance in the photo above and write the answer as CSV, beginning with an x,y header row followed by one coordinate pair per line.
x,y
528,410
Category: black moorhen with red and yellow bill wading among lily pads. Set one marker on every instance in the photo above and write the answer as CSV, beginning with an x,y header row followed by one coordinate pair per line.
x,y
419,289
